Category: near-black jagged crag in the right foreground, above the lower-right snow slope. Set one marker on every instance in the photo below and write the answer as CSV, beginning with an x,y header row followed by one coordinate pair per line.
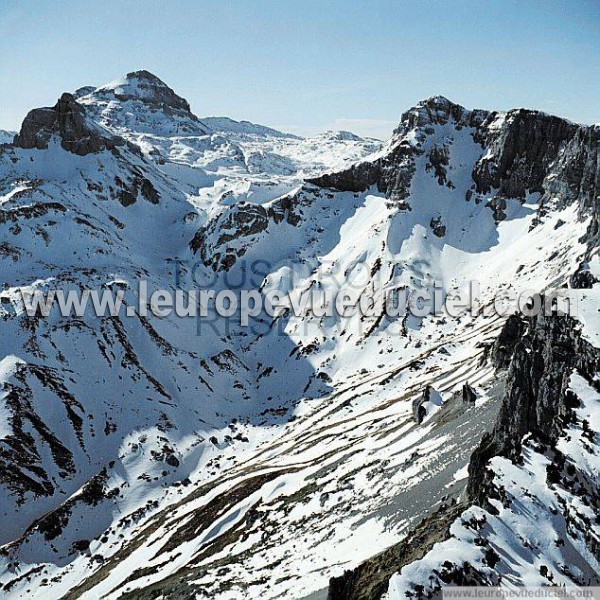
x,y
536,401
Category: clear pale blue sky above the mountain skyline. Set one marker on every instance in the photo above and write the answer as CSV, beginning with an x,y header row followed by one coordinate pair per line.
x,y
306,66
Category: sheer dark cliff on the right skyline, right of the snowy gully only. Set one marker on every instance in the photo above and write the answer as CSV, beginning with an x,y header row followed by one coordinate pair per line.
x,y
528,152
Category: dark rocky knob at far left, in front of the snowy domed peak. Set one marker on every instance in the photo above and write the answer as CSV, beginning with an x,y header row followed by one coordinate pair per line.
x,y
66,120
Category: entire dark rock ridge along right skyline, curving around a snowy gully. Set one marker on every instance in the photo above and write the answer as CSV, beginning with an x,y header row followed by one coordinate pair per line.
x,y
528,151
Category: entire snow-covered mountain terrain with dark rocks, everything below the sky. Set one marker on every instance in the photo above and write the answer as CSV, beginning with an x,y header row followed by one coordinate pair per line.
x,y
164,457
